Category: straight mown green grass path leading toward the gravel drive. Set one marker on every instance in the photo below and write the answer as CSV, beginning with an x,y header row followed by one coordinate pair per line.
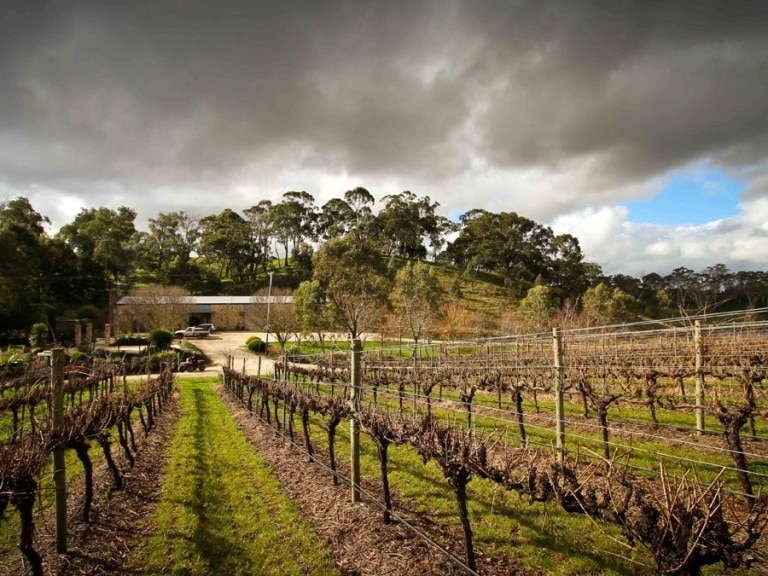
x,y
221,511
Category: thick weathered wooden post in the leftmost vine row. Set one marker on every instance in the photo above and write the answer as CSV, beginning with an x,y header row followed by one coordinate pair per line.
x,y
59,470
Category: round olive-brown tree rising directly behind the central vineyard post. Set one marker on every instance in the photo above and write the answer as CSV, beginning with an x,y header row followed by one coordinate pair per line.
x,y
354,277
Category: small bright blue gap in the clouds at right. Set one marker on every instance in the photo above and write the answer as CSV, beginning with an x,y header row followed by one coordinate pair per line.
x,y
690,198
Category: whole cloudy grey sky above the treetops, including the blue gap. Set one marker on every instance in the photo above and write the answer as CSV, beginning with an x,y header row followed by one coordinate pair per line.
x,y
639,127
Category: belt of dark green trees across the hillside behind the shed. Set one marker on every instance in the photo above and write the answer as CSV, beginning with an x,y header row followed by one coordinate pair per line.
x,y
100,253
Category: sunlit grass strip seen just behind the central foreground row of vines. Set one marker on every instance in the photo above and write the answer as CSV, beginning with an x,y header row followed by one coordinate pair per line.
x,y
505,525
